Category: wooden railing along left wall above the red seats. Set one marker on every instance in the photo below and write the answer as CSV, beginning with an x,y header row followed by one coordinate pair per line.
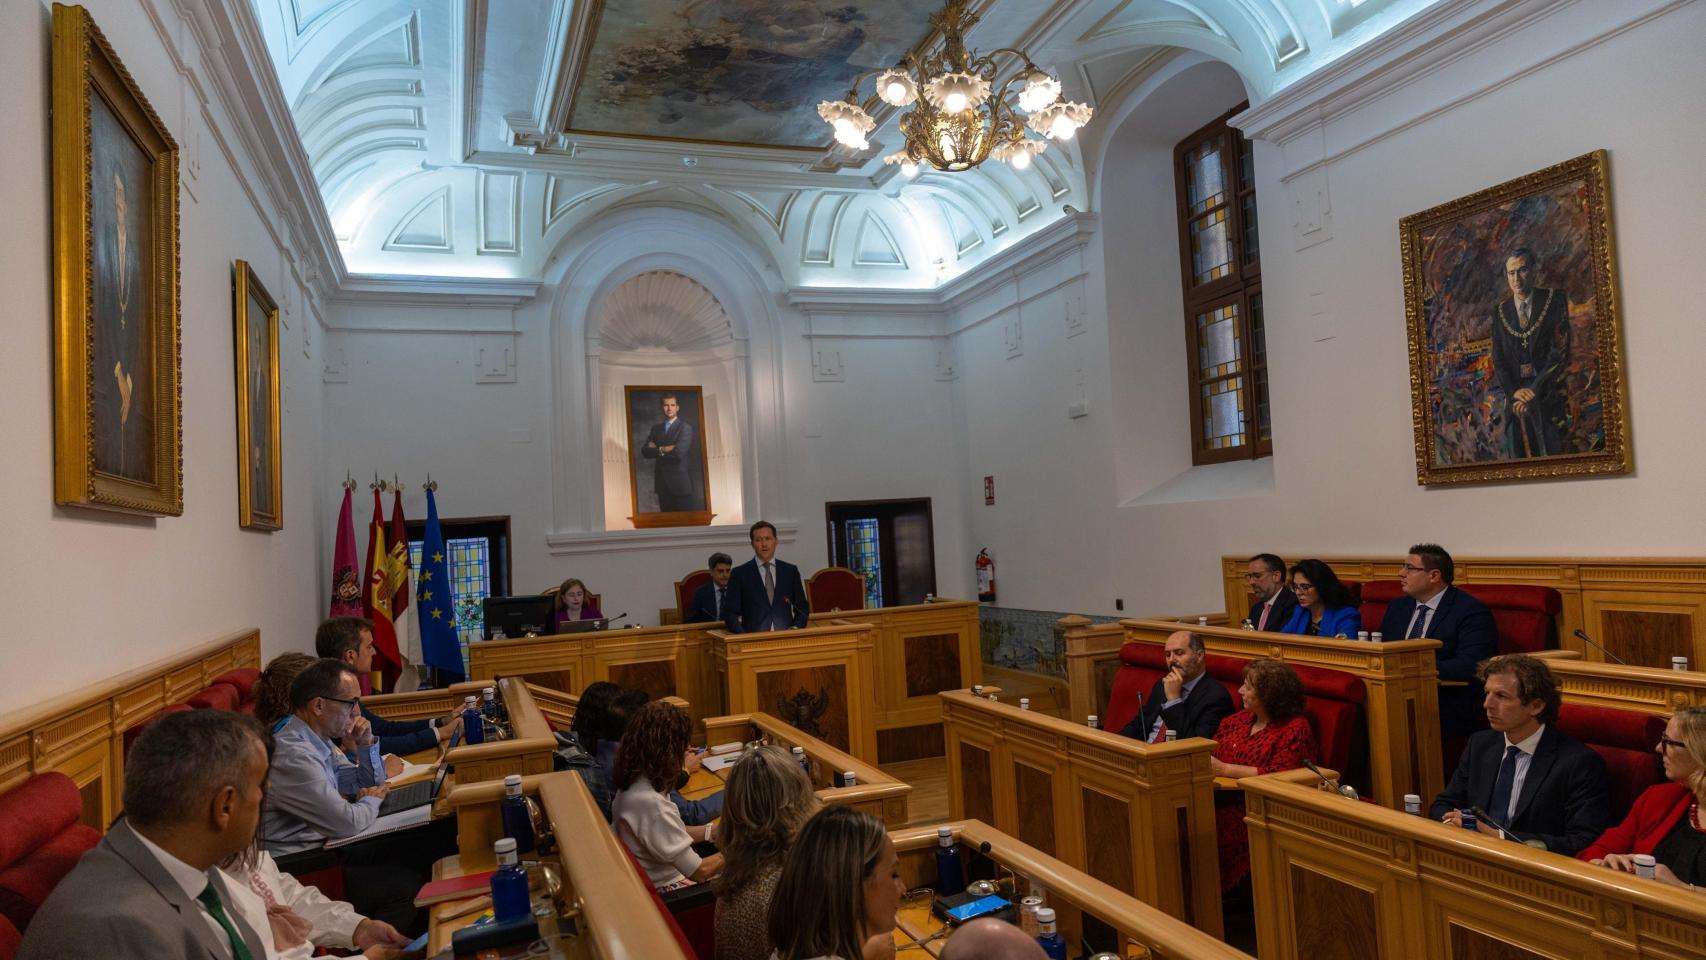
x,y
83,734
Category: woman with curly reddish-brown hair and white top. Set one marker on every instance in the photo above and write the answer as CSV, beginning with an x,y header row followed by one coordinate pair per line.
x,y
647,766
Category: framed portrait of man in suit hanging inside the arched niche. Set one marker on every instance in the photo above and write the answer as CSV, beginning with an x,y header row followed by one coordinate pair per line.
x,y
666,458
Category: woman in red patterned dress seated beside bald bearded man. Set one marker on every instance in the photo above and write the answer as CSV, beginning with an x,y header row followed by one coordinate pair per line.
x,y
1270,734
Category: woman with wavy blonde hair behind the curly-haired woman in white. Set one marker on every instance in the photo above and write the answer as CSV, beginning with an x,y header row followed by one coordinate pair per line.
x,y
767,802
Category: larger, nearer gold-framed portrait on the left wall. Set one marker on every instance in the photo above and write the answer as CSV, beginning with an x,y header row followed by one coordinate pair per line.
x,y
117,385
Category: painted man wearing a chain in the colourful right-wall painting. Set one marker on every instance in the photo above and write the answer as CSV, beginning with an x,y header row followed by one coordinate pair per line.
x,y
1531,356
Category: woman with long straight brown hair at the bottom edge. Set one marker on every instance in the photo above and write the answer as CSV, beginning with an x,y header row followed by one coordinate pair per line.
x,y
838,891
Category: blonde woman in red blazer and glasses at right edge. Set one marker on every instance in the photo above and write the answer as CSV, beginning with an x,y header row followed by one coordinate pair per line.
x,y
1666,821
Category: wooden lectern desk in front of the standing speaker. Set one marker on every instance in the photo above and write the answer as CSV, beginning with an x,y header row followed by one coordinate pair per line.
x,y
825,674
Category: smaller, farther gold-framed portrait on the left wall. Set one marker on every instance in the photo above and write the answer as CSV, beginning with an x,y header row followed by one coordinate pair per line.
x,y
260,471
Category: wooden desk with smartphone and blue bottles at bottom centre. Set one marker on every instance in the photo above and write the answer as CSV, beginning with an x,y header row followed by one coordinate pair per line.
x,y
1144,930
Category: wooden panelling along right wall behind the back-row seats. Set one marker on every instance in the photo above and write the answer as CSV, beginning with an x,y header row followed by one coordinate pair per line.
x,y
1647,611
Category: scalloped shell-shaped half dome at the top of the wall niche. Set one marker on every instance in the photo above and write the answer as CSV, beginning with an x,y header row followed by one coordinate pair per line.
x,y
663,313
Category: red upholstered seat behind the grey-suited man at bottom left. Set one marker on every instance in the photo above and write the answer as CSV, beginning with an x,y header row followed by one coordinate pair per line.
x,y
42,840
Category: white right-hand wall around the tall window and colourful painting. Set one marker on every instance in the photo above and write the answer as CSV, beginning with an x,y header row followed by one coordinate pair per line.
x,y
1343,475
